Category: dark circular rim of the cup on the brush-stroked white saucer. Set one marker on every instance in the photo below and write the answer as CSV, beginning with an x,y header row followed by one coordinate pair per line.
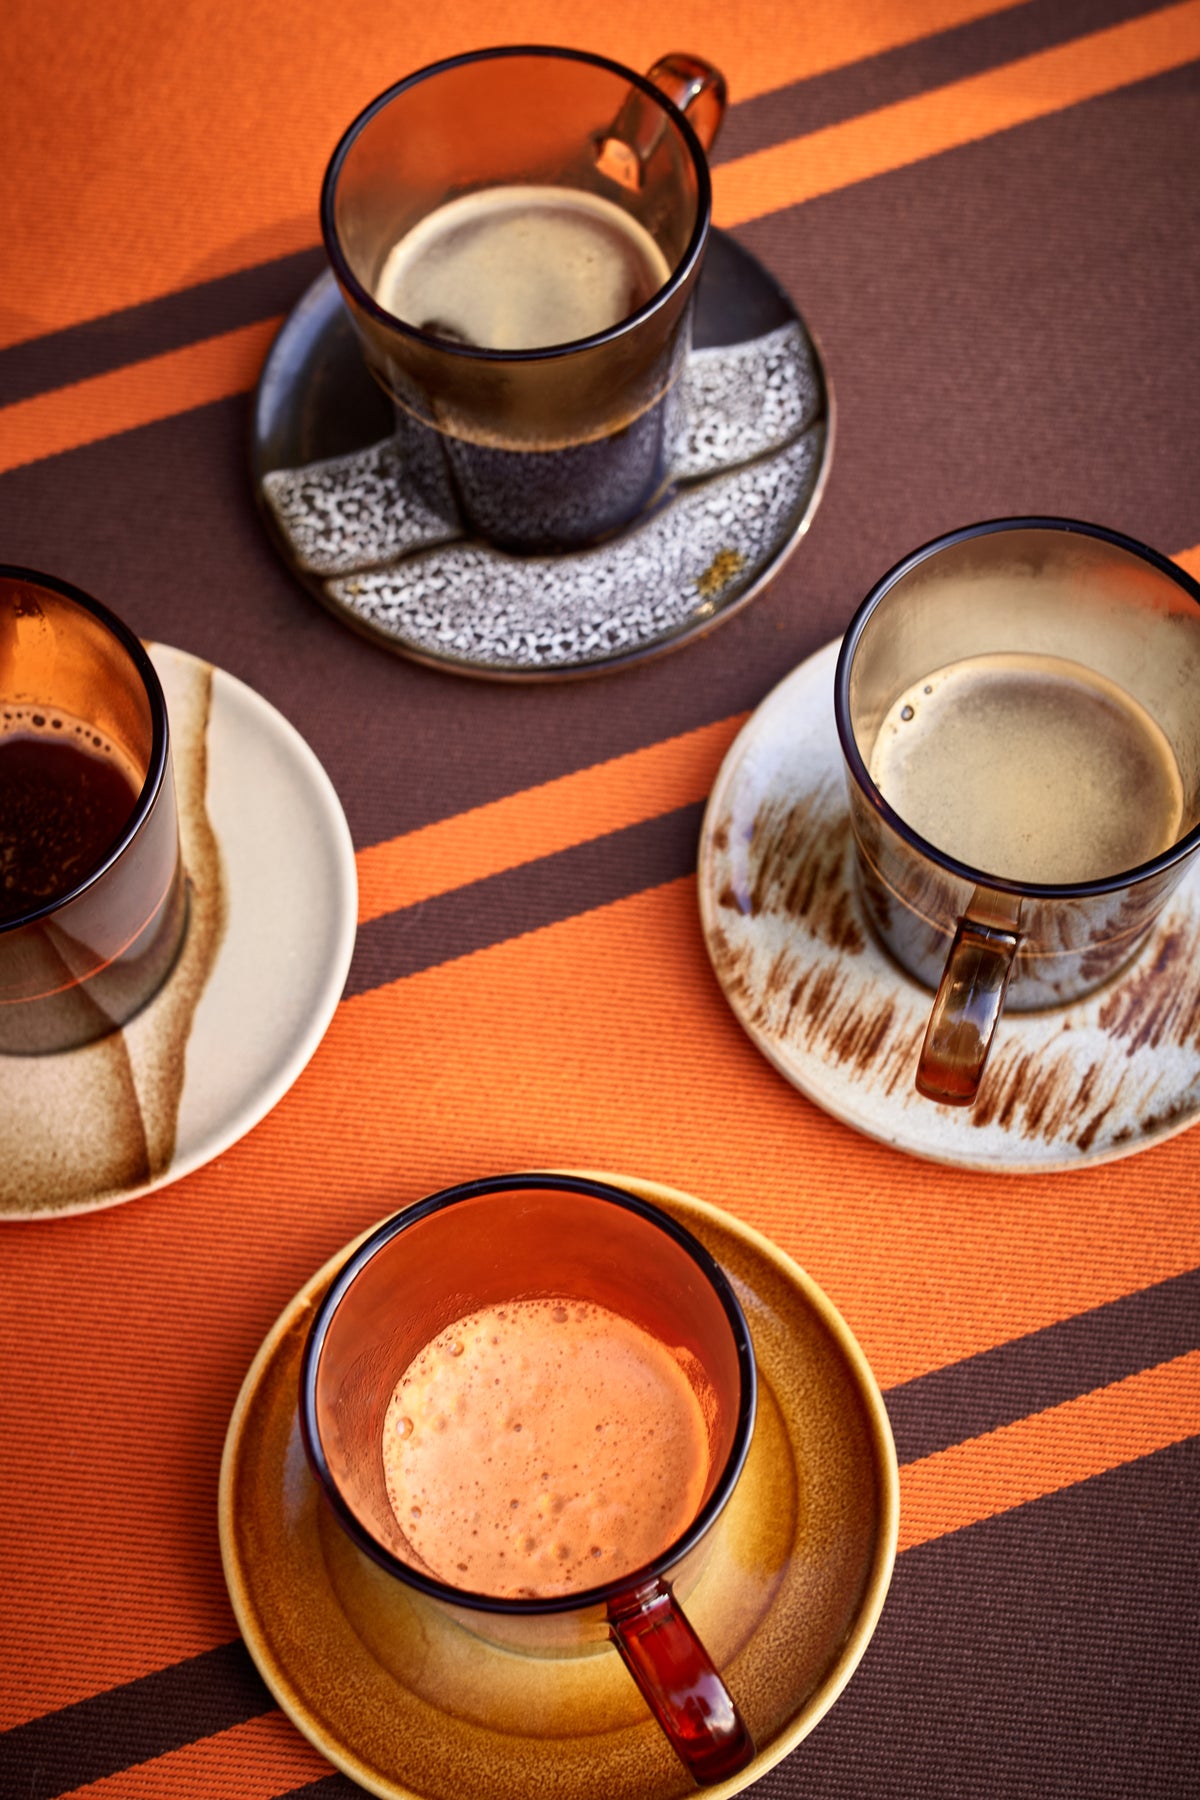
x,y
855,760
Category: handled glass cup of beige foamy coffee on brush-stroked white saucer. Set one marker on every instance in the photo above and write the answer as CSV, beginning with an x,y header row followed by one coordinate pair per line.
x,y
1021,732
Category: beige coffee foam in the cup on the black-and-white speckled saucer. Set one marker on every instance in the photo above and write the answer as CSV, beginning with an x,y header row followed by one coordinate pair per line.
x,y
523,267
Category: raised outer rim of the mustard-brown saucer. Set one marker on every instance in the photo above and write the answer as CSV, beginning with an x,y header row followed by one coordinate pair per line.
x,y
685,1207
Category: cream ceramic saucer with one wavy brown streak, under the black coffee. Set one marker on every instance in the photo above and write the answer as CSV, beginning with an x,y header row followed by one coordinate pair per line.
x,y
269,942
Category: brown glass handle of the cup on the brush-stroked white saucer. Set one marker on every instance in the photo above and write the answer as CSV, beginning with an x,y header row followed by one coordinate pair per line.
x,y
967,1011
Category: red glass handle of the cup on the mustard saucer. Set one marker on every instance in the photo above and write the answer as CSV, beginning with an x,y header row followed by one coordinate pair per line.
x,y
679,1684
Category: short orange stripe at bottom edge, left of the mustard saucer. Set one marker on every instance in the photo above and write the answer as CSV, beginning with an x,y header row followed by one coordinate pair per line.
x,y
253,1761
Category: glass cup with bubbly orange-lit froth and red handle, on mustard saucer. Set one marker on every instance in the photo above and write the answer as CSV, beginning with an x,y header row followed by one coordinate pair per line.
x,y
528,1399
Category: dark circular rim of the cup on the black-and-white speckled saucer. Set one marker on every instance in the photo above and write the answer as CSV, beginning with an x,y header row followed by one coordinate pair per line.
x,y
364,300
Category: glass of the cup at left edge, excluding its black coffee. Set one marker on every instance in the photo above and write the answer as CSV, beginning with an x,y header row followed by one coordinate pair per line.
x,y
87,958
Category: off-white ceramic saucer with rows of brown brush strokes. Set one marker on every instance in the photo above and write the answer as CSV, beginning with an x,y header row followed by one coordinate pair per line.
x,y
843,1023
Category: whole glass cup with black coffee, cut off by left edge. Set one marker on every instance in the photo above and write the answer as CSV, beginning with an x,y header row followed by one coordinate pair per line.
x,y
93,886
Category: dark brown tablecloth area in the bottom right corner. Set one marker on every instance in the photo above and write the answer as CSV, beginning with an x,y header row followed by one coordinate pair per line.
x,y
1039,1657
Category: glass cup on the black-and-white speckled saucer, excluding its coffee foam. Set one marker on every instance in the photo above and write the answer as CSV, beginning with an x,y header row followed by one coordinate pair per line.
x,y
560,445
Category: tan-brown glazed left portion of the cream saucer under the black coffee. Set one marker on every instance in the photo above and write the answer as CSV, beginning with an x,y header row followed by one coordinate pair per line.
x,y
100,1122
